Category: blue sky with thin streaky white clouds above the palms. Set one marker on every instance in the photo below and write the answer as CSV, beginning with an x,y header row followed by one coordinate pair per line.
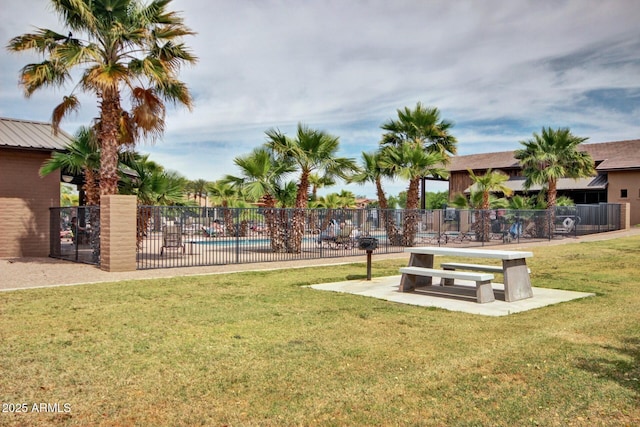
x,y
500,70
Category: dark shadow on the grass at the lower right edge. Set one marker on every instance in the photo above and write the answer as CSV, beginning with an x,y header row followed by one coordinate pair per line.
x,y
625,372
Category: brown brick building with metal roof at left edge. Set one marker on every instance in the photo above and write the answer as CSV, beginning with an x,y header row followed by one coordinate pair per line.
x,y
25,197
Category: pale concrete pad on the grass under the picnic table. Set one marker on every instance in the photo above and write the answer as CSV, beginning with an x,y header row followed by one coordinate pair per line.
x,y
460,297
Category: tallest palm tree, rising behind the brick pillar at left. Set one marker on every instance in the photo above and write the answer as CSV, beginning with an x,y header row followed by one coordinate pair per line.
x,y
125,46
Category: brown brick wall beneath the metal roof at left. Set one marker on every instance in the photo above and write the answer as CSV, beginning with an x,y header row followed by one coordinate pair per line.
x,y
25,199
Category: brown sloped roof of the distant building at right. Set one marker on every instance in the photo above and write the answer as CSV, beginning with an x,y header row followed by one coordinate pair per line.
x,y
607,155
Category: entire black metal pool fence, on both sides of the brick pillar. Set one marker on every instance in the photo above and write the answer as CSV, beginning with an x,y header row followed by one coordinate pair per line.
x,y
178,236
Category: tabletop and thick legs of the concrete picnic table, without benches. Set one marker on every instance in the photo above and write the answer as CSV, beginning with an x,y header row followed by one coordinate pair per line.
x,y
517,283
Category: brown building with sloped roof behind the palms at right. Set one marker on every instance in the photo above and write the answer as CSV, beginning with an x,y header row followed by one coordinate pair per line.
x,y
617,180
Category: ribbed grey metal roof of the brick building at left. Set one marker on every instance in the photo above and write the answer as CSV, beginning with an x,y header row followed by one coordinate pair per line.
x,y
31,135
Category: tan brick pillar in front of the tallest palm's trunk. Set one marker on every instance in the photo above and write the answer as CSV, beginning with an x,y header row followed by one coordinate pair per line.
x,y
118,233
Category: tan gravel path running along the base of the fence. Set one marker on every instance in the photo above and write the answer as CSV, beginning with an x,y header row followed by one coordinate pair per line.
x,y
24,273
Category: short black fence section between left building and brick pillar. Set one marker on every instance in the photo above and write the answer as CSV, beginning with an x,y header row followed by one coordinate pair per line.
x,y
75,234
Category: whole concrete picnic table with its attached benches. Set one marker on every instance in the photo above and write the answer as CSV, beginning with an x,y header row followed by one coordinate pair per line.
x,y
421,271
